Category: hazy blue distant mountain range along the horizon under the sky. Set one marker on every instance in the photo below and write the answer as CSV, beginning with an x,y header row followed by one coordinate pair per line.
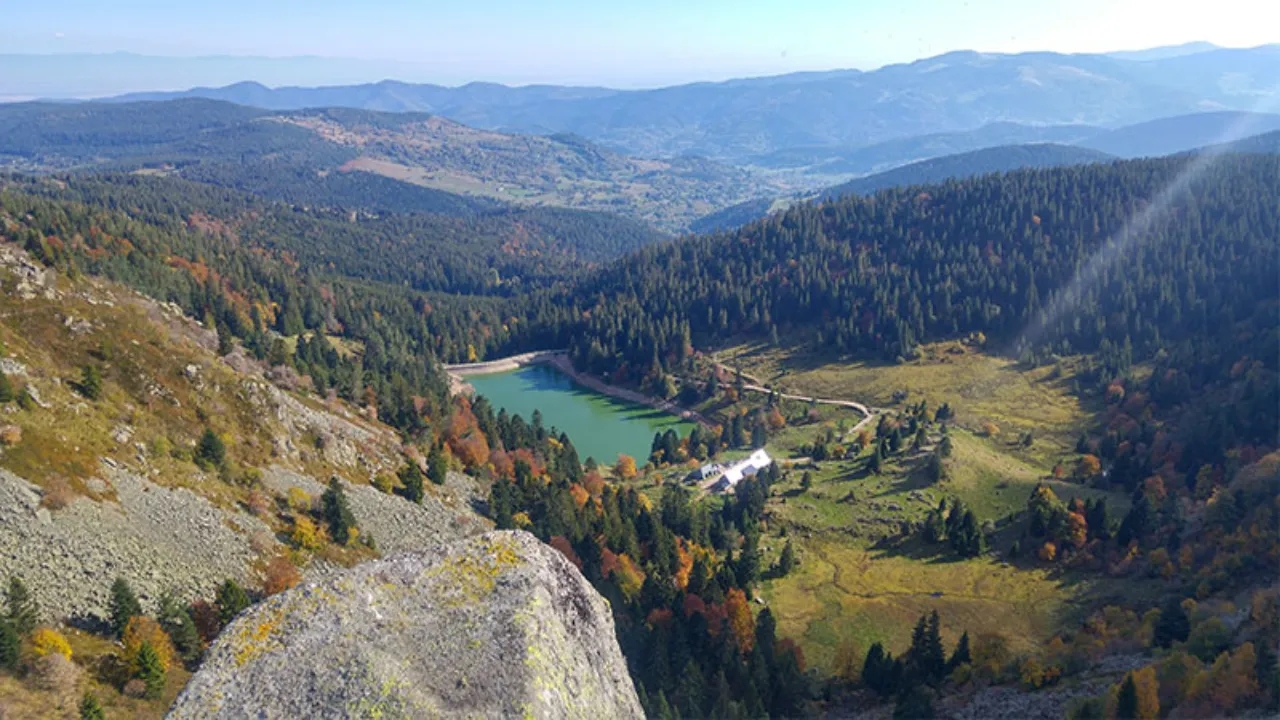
x,y
746,120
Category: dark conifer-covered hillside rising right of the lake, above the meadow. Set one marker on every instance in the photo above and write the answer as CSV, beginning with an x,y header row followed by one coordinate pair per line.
x,y
884,274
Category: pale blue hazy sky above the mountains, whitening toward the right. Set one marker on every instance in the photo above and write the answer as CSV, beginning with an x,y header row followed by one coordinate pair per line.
x,y
625,43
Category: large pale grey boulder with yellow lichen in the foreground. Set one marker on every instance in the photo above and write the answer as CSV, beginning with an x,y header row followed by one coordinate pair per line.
x,y
496,626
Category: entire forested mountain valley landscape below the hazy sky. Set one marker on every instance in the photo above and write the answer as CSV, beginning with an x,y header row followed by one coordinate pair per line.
x,y
1017,395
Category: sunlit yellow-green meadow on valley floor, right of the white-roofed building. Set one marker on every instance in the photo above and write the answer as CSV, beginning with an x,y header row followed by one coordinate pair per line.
x,y
849,594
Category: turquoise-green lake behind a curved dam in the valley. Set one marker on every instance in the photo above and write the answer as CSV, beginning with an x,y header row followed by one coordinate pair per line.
x,y
600,426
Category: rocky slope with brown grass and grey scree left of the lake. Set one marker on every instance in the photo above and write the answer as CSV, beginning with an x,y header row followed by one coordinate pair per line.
x,y
98,489
